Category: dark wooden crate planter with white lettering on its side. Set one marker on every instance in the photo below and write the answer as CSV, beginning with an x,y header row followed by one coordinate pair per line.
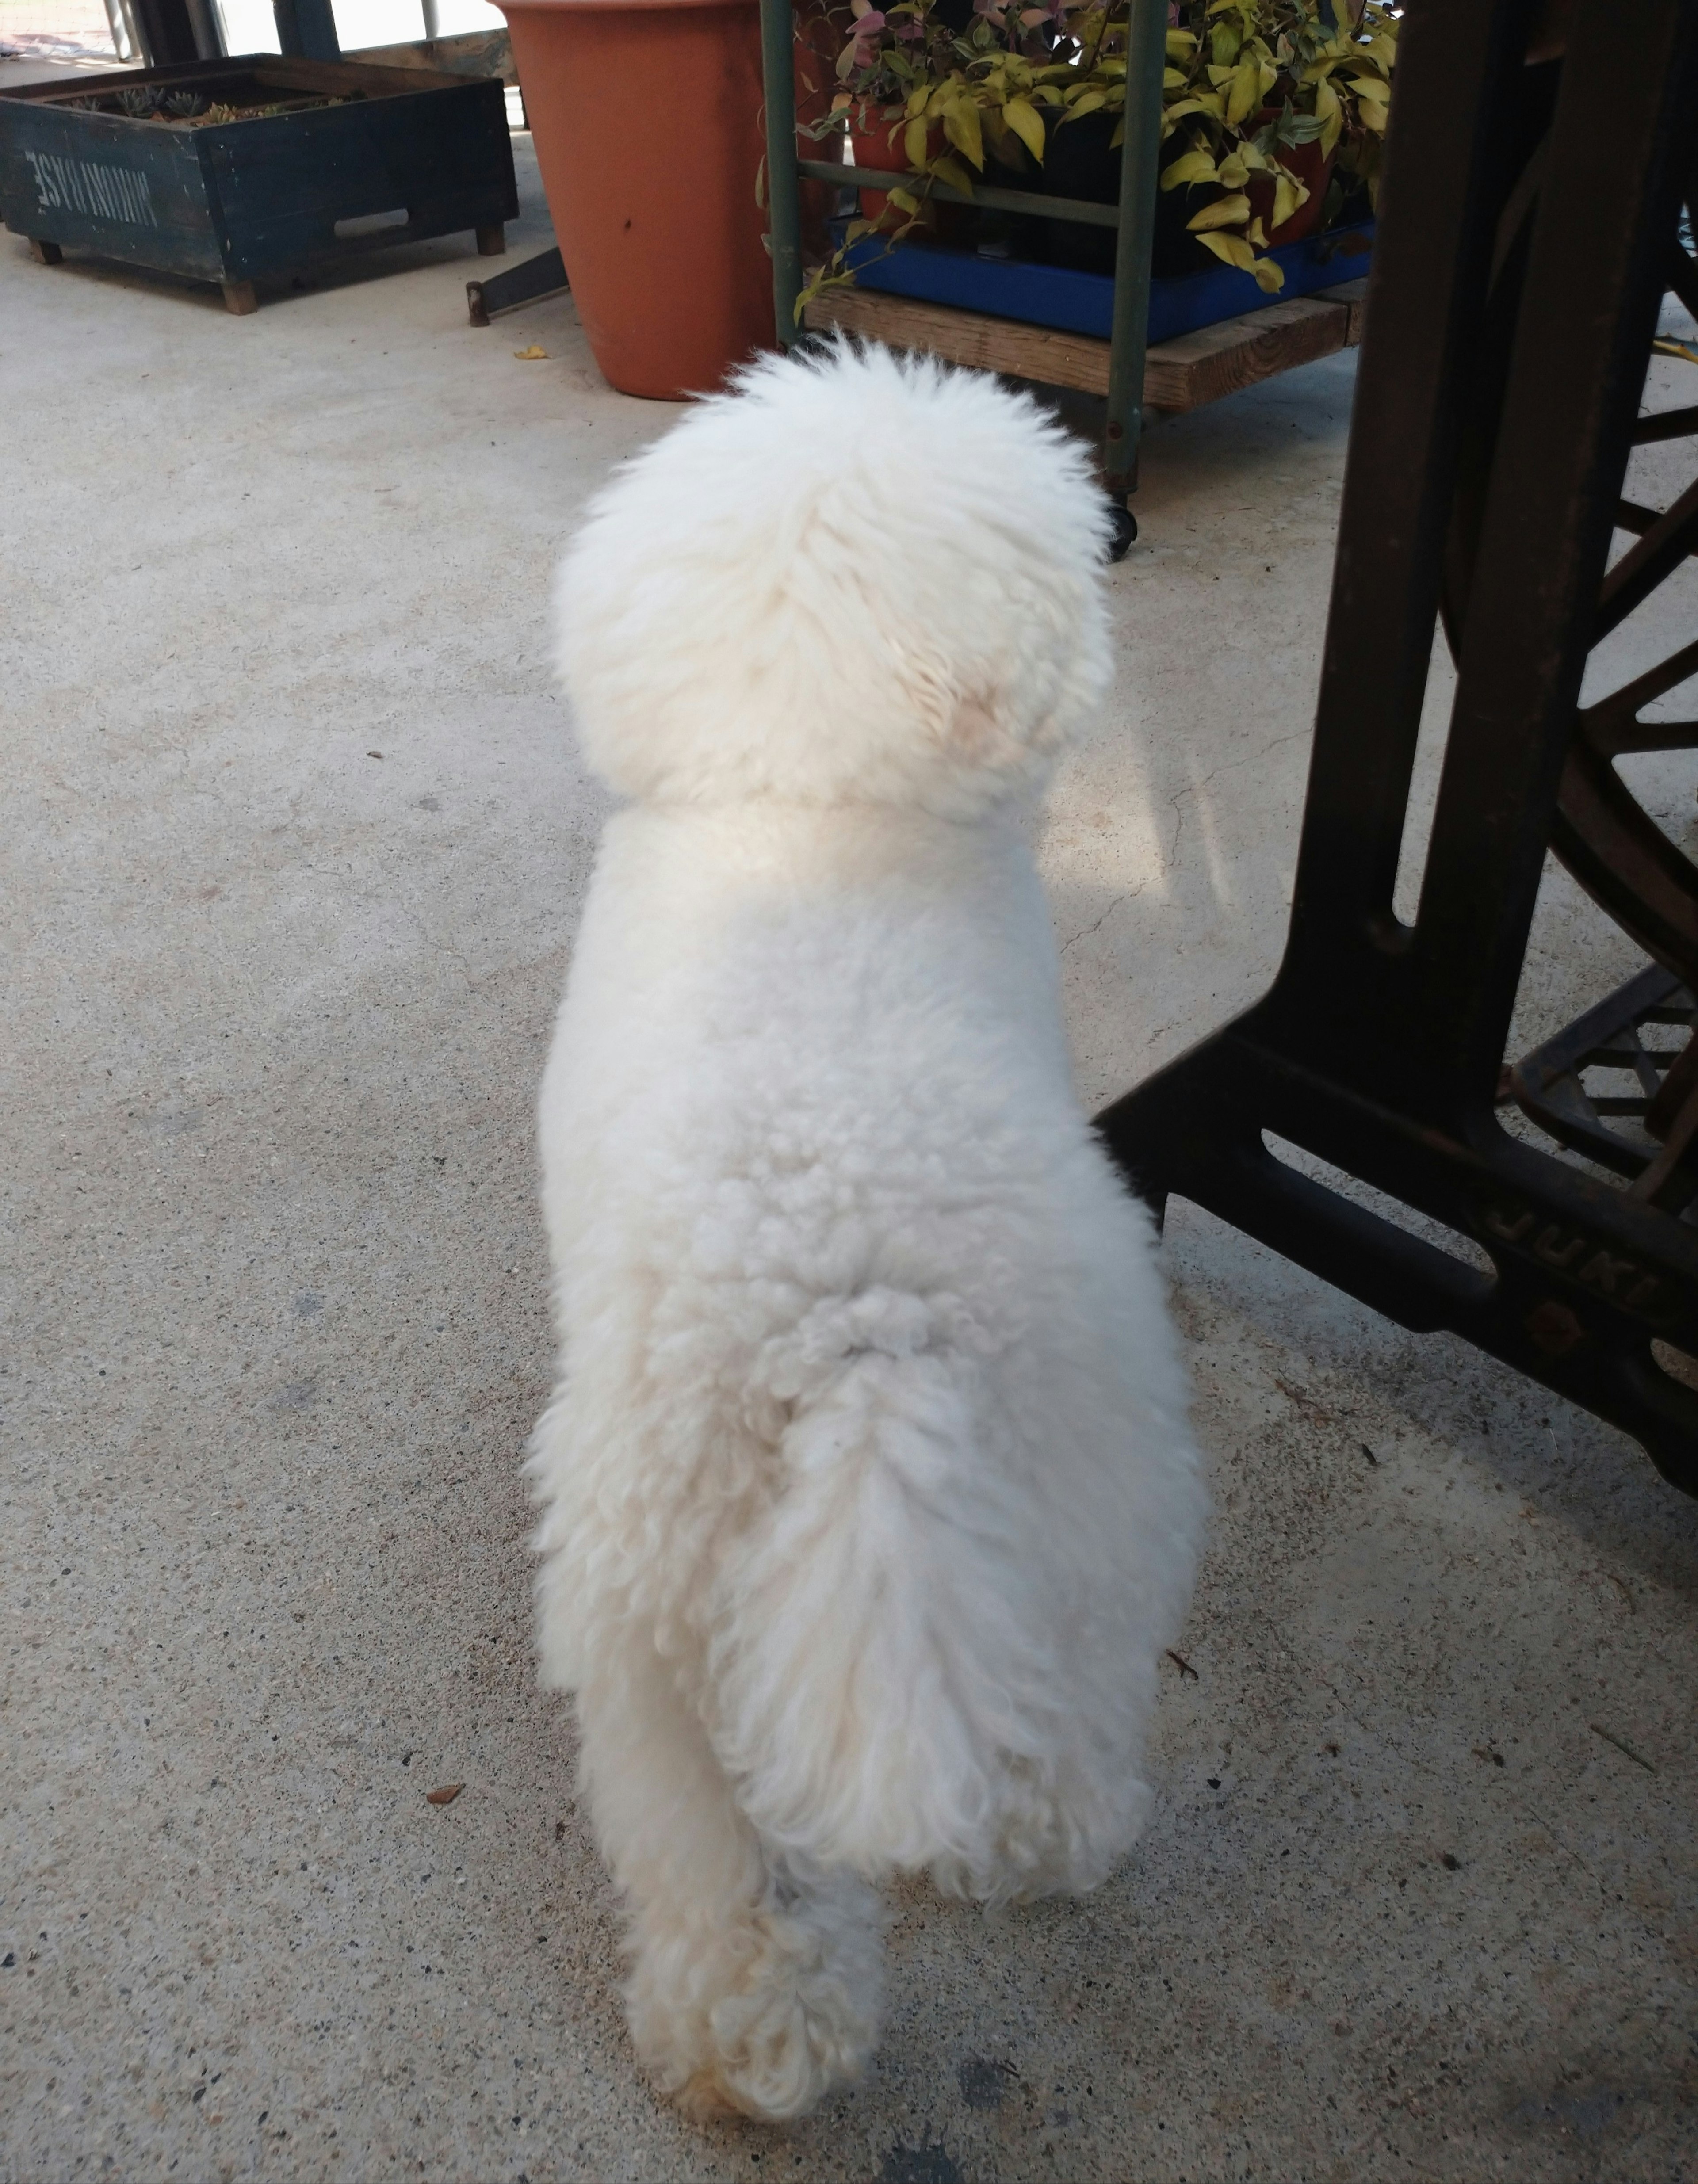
x,y
410,156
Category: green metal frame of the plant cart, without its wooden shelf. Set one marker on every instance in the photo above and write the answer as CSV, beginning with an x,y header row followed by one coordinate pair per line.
x,y
1135,217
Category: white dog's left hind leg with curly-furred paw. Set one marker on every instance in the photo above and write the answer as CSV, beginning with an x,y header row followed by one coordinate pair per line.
x,y
755,1980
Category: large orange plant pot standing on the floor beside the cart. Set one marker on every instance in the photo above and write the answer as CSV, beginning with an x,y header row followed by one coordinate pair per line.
x,y
648,130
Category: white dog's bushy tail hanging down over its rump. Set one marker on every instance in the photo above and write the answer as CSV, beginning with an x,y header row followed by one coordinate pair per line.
x,y
901,1665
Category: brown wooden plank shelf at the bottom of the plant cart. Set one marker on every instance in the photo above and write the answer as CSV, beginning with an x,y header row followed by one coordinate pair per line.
x,y
1179,375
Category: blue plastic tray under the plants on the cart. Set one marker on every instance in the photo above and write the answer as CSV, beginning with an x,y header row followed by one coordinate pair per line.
x,y
1085,302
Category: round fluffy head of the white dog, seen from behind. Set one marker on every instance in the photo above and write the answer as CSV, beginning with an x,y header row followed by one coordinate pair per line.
x,y
858,578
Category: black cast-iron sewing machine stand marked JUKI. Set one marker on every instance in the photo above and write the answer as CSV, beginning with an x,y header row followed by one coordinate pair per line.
x,y
1489,444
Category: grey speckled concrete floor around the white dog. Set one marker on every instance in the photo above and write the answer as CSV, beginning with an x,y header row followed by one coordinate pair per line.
x,y
296,848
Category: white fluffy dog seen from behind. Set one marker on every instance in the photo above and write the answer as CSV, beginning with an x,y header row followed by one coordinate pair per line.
x,y
869,1488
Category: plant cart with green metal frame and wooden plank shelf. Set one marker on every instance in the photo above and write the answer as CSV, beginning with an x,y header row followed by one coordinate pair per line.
x,y
1131,377
